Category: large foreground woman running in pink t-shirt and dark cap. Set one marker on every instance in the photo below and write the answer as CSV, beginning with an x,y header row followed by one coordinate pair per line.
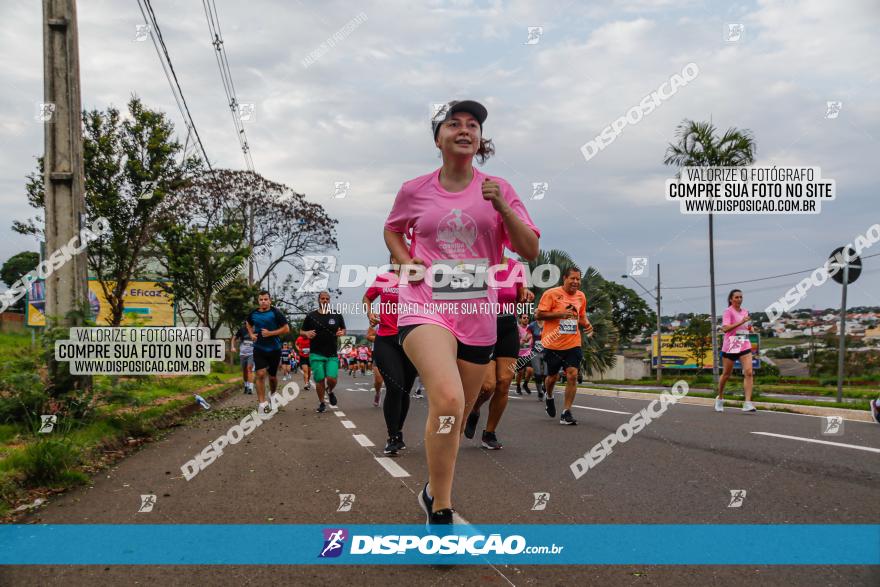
x,y
459,221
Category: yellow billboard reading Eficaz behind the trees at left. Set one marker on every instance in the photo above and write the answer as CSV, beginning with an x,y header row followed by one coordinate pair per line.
x,y
145,304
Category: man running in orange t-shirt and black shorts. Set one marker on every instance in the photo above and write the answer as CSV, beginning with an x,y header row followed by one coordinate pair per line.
x,y
563,310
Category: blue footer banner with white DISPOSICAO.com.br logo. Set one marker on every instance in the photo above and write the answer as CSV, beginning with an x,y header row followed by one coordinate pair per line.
x,y
353,544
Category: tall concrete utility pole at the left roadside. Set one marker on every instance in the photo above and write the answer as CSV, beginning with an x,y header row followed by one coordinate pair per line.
x,y
66,288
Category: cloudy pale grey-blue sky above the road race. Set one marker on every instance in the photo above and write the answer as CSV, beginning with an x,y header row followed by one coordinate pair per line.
x,y
360,112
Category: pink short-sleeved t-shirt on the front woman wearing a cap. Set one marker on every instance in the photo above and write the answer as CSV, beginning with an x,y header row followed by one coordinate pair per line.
x,y
445,226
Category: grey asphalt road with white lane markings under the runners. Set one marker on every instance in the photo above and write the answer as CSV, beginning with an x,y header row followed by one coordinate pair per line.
x,y
680,469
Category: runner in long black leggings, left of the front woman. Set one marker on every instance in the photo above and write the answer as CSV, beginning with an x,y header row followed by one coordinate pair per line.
x,y
392,363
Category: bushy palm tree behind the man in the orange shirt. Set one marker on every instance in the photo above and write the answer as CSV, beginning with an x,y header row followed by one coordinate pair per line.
x,y
598,350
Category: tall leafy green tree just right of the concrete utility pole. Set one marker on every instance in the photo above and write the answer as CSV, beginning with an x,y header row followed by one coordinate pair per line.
x,y
131,166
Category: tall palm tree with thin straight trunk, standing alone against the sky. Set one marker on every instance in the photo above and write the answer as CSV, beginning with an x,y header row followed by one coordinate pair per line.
x,y
699,147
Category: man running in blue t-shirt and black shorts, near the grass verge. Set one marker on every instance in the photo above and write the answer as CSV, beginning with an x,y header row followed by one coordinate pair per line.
x,y
265,325
